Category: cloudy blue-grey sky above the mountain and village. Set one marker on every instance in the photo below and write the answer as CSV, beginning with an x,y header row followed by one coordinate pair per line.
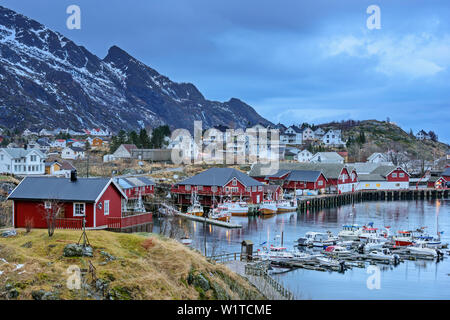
x,y
292,60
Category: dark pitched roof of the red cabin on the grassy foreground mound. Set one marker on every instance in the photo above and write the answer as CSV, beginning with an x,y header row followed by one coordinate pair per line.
x,y
62,189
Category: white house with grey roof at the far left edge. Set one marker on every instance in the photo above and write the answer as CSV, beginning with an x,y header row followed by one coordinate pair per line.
x,y
21,161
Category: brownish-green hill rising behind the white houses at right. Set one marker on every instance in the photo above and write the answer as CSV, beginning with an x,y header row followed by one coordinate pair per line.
x,y
382,136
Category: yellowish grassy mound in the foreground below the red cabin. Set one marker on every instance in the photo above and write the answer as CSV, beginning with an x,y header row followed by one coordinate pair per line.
x,y
128,266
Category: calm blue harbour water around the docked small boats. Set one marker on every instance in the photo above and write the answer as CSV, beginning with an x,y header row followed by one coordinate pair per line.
x,y
409,280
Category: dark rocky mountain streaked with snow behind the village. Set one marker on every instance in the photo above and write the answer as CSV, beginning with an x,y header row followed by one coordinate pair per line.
x,y
47,81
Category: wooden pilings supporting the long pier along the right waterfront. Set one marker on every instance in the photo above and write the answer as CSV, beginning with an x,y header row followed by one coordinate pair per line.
x,y
336,200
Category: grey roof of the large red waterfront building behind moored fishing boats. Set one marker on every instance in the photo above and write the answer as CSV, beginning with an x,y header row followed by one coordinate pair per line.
x,y
219,177
